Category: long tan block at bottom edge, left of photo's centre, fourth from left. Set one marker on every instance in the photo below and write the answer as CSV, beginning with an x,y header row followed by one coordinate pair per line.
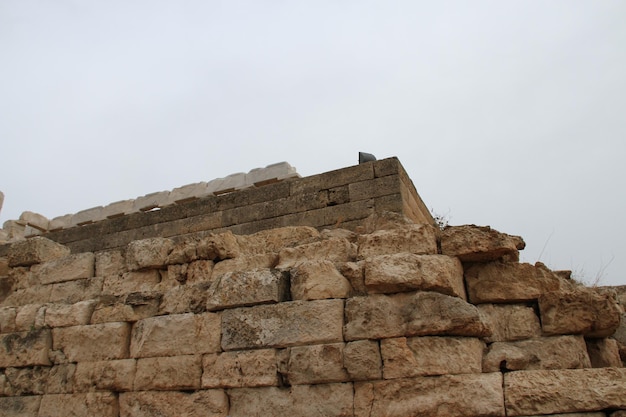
x,y
329,399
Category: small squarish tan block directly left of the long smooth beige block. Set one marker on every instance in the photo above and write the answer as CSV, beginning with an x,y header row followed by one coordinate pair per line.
x,y
362,360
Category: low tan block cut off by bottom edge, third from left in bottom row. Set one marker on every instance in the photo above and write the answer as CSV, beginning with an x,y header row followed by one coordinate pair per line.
x,y
206,403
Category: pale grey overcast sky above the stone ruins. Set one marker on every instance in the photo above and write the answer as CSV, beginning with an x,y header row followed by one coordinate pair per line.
x,y
504,113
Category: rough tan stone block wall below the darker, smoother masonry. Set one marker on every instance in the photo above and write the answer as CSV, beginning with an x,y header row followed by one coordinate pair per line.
x,y
391,318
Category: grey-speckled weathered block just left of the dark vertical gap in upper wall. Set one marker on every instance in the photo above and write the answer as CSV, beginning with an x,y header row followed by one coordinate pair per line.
x,y
246,288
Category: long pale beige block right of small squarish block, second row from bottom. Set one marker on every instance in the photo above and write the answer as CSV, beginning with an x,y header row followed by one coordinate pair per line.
x,y
421,356
